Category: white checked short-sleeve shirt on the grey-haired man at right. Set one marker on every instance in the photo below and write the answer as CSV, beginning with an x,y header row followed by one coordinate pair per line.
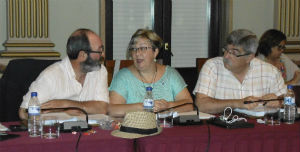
x,y
219,83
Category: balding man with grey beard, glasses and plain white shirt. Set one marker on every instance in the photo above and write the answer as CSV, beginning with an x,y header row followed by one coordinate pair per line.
x,y
78,80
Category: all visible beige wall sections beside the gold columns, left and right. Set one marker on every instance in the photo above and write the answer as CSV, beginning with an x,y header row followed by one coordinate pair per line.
x,y
67,15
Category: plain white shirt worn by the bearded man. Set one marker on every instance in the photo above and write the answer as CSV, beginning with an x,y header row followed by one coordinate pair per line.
x,y
58,81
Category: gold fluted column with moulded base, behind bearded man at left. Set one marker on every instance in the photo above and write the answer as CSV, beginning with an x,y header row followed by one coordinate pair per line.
x,y
28,30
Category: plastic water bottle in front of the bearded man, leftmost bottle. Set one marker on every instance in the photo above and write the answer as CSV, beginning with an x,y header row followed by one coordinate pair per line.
x,y
34,112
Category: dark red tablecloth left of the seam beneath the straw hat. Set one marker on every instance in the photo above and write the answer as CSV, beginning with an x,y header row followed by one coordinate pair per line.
x,y
100,141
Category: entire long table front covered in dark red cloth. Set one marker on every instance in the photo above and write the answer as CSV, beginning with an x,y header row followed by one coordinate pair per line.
x,y
261,138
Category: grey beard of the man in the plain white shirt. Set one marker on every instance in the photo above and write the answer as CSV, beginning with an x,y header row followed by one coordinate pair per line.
x,y
90,64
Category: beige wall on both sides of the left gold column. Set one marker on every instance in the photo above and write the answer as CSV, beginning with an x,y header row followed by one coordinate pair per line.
x,y
64,17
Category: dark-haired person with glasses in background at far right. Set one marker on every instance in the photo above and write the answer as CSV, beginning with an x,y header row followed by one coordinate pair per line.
x,y
270,49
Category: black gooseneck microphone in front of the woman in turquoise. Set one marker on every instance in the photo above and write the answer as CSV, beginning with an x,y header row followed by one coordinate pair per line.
x,y
185,119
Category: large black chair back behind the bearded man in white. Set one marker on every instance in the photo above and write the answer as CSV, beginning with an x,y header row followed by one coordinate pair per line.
x,y
14,84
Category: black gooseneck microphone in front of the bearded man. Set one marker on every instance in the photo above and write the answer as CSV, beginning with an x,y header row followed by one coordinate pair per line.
x,y
70,126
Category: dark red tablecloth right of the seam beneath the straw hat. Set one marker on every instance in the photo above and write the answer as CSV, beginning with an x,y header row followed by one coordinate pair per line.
x,y
261,138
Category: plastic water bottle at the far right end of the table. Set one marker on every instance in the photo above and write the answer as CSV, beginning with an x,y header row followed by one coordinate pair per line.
x,y
289,106
